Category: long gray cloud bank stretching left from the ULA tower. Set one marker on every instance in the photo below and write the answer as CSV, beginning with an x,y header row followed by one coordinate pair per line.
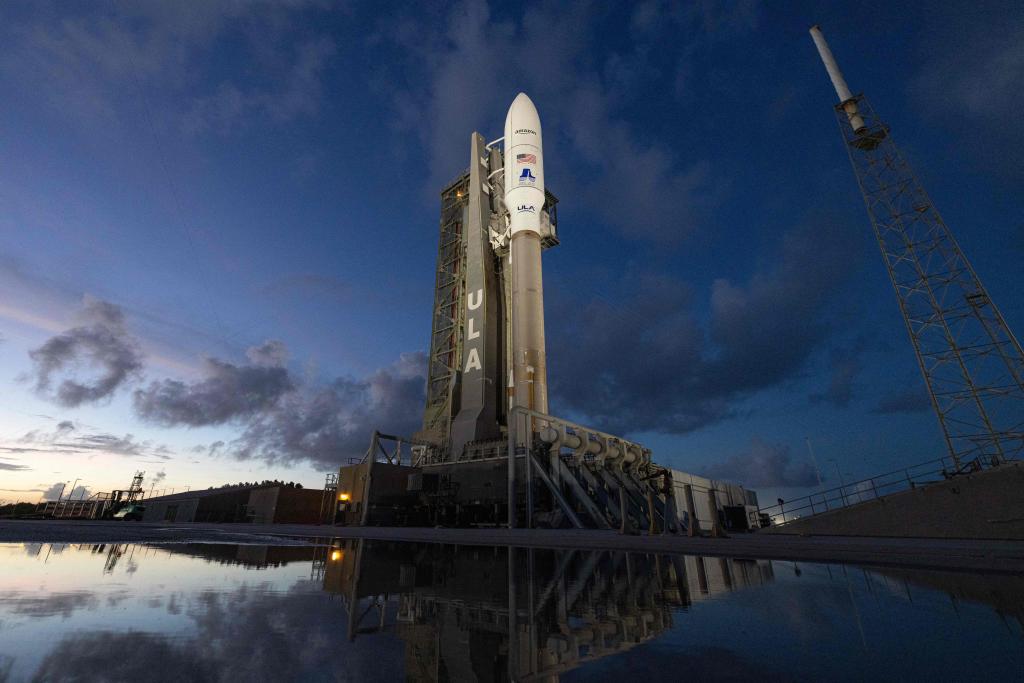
x,y
285,419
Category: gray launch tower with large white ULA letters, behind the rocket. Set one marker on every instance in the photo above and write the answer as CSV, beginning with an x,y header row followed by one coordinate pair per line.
x,y
466,414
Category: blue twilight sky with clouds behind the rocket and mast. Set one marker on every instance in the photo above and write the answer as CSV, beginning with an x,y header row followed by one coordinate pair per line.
x,y
232,208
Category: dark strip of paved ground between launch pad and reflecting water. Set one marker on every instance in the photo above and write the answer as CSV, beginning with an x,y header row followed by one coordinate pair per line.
x,y
962,556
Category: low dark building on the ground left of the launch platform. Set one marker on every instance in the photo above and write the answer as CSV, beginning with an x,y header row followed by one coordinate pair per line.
x,y
262,504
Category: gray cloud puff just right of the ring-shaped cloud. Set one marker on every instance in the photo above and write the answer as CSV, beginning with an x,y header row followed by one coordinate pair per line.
x,y
230,392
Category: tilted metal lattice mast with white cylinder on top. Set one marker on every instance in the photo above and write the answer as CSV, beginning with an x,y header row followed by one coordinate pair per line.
x,y
972,364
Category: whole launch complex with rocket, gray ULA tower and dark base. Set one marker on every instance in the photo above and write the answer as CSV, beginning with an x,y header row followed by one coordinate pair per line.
x,y
488,438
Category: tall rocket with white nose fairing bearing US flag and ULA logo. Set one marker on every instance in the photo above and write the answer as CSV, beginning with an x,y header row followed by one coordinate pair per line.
x,y
525,200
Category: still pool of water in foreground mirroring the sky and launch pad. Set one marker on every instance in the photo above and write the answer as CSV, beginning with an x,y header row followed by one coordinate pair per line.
x,y
379,611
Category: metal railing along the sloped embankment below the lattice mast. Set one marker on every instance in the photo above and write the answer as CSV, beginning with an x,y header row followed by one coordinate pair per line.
x,y
868,490
